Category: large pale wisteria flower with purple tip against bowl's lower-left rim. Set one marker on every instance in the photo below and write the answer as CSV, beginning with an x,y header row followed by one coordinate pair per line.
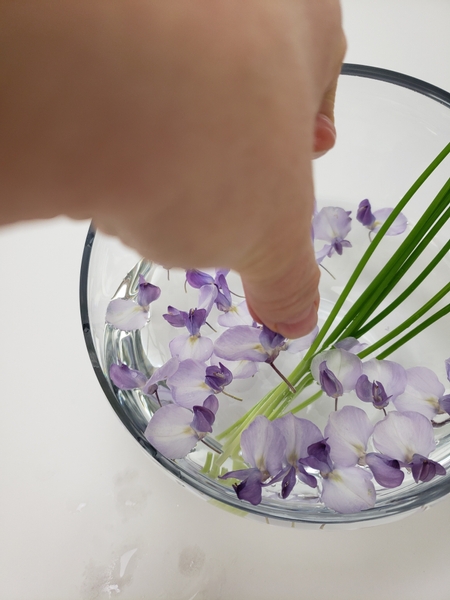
x,y
174,430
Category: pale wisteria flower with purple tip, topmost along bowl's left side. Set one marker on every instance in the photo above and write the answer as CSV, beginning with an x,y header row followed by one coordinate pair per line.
x,y
132,314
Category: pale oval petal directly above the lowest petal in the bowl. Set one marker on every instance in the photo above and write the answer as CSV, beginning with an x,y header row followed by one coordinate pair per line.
x,y
348,431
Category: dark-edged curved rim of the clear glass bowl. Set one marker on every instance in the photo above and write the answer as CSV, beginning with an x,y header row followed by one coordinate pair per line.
x,y
436,492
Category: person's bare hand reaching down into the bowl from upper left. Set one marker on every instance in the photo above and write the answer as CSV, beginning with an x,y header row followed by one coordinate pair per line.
x,y
185,127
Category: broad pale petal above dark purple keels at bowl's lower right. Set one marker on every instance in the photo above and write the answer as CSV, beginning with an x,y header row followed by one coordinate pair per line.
x,y
401,435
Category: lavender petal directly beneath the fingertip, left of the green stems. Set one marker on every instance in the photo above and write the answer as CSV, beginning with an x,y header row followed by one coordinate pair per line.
x,y
240,343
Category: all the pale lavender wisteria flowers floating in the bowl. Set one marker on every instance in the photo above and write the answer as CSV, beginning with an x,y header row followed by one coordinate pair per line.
x,y
340,463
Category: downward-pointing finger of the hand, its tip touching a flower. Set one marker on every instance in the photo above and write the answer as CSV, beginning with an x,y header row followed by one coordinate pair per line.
x,y
282,288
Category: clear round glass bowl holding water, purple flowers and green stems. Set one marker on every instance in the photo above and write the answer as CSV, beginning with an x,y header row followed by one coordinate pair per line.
x,y
390,127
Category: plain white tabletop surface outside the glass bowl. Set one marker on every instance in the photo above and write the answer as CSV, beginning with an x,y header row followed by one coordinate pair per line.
x,y
85,514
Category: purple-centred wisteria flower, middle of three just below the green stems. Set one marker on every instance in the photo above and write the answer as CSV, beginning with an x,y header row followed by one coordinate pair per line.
x,y
382,381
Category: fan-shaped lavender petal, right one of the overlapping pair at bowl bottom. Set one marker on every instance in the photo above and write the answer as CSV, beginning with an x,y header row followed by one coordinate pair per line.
x,y
299,434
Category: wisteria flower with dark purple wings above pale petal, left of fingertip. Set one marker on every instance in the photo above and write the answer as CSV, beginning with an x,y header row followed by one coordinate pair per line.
x,y
192,344
